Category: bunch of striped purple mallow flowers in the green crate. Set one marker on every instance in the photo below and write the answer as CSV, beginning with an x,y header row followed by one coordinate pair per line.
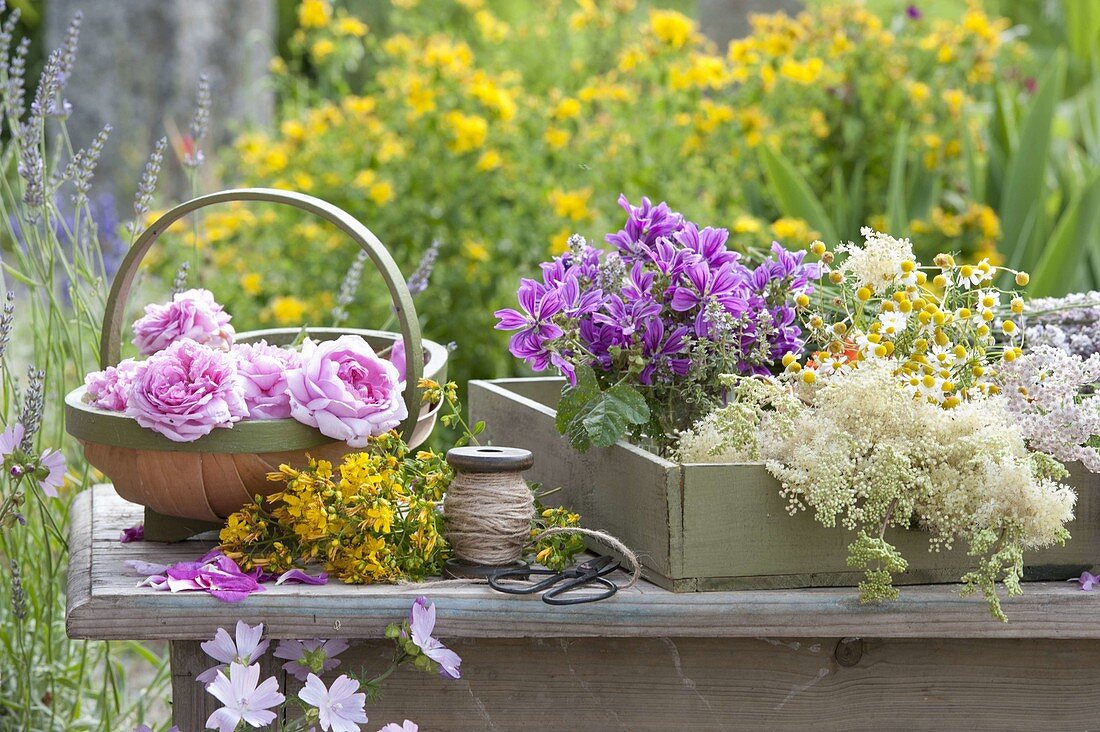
x,y
646,309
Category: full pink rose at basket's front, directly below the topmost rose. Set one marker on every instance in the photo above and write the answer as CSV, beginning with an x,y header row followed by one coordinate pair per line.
x,y
186,391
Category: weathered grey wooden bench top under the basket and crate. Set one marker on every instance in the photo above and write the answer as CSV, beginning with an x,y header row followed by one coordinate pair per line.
x,y
107,605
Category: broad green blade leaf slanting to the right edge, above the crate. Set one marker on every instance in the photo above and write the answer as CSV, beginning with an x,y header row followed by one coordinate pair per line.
x,y
1063,254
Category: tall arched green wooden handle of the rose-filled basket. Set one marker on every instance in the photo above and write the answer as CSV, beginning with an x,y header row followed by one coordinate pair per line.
x,y
111,346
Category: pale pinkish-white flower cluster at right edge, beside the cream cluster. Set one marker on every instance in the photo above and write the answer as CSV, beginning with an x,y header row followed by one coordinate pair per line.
x,y
1051,395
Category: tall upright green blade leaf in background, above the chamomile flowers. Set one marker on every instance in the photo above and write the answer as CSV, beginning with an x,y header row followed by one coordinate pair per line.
x,y
1027,170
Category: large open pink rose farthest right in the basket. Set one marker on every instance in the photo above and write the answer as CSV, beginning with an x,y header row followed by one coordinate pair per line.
x,y
346,391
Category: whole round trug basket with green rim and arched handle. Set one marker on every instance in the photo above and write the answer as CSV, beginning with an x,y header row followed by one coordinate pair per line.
x,y
190,487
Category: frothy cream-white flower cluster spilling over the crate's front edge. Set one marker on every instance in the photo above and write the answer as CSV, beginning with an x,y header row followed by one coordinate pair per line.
x,y
870,456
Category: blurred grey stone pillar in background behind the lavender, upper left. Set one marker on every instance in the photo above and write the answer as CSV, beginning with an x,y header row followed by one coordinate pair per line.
x,y
139,67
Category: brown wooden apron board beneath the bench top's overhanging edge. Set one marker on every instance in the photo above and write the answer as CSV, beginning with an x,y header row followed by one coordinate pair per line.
x,y
740,684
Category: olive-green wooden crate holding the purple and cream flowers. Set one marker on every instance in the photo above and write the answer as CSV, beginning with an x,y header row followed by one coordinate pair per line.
x,y
723,527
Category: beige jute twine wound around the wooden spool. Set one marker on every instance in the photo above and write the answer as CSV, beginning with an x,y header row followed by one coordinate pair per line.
x,y
489,517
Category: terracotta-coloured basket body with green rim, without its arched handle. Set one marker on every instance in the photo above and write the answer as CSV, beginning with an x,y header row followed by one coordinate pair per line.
x,y
213,477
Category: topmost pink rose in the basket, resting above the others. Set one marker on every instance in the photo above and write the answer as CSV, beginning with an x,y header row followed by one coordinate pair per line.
x,y
192,315
